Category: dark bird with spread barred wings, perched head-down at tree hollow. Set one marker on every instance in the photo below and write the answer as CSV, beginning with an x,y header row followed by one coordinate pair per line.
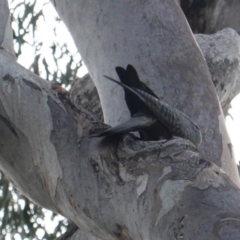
x,y
153,118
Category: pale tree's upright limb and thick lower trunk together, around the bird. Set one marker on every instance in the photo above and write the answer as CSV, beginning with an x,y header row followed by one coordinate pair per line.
x,y
123,188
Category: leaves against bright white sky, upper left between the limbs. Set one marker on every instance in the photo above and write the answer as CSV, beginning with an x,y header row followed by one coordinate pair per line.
x,y
50,56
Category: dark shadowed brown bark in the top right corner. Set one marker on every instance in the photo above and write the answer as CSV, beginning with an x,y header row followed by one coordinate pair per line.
x,y
211,16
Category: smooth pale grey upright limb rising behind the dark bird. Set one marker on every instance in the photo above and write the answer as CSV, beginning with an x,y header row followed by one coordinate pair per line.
x,y
160,45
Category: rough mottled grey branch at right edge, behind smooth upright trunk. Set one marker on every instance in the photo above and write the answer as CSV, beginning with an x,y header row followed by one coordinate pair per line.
x,y
222,53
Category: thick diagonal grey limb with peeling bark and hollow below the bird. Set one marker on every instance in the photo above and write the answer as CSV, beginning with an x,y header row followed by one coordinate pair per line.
x,y
124,187
